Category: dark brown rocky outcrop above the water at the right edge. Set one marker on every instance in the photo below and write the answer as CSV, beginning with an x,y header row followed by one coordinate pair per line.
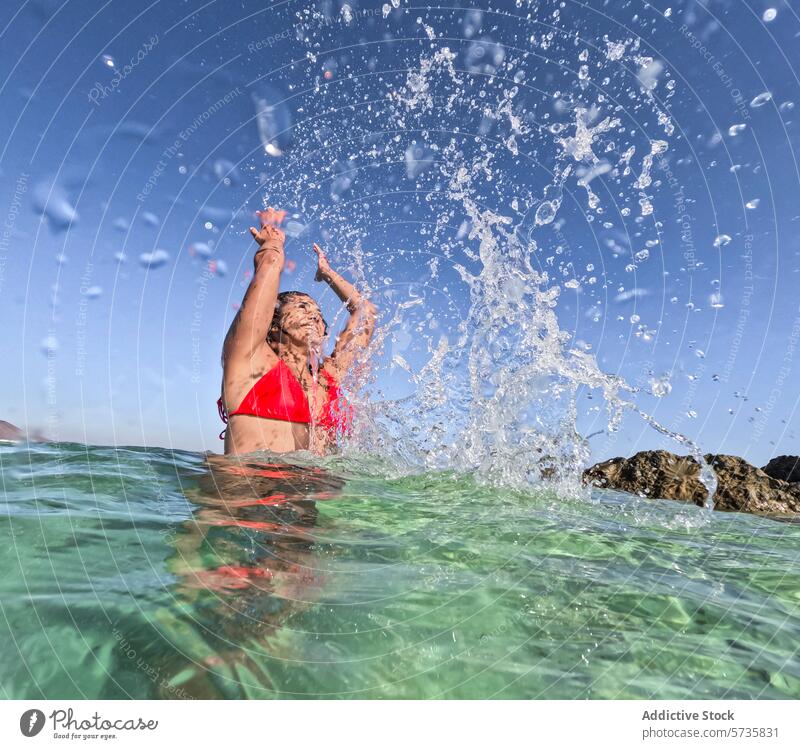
x,y
660,474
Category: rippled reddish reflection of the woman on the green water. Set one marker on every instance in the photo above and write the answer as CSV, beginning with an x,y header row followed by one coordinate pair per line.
x,y
245,565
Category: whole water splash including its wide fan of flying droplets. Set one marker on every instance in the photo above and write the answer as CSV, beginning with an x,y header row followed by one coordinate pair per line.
x,y
496,394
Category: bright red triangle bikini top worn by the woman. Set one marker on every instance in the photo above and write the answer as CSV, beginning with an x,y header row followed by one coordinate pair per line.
x,y
278,395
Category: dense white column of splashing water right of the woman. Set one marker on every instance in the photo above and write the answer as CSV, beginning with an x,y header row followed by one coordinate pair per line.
x,y
501,400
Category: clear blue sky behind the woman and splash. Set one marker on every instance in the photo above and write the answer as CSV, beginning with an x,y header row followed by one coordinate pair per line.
x,y
163,162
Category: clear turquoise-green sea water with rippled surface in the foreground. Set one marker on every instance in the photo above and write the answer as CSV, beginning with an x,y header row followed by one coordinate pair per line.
x,y
132,572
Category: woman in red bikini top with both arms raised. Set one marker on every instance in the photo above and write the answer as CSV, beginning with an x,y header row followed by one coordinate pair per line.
x,y
278,393
